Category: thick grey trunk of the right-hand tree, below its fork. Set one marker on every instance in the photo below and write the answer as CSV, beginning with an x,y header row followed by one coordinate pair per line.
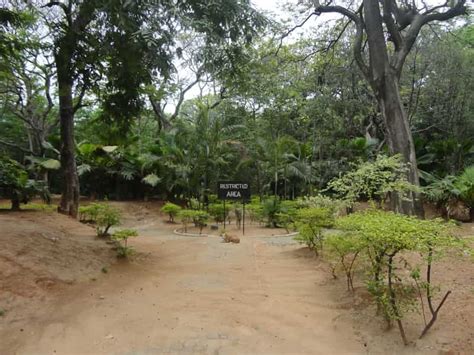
x,y
400,141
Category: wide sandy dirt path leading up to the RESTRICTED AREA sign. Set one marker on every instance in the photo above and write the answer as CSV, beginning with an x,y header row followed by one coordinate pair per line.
x,y
195,295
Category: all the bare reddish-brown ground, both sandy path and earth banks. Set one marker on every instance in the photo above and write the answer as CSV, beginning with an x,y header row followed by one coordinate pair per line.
x,y
196,295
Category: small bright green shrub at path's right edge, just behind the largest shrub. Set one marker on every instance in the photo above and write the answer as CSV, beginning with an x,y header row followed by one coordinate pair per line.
x,y
310,223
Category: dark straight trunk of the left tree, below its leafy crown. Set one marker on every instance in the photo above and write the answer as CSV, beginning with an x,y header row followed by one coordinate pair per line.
x,y
70,190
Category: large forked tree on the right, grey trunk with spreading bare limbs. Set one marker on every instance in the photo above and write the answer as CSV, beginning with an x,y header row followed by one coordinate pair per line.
x,y
376,19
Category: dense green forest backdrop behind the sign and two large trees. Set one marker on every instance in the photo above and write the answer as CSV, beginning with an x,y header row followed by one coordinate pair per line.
x,y
286,116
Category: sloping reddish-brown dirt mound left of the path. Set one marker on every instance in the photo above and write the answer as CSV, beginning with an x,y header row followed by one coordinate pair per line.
x,y
43,251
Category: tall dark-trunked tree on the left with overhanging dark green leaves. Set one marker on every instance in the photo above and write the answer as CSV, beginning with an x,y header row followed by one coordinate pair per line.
x,y
129,42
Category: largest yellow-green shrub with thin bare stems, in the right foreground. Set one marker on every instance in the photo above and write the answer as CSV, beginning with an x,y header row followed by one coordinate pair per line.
x,y
383,237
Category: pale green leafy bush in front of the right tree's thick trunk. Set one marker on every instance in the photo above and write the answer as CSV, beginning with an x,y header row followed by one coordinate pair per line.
x,y
373,180
